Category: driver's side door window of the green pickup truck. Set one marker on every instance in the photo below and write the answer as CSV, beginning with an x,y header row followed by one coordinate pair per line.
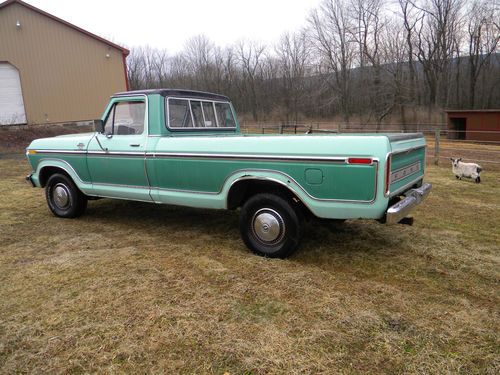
x,y
126,118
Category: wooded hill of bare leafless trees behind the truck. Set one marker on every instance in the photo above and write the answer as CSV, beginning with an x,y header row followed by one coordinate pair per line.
x,y
372,60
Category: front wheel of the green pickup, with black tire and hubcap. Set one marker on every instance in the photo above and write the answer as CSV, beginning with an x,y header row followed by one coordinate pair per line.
x,y
63,197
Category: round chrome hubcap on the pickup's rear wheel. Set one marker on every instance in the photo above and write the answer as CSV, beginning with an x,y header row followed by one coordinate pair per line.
x,y
268,226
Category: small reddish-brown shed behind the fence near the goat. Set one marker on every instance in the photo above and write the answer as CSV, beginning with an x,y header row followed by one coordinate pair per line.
x,y
474,125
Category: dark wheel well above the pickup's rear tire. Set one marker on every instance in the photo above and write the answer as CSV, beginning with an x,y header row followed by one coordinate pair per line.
x,y
242,190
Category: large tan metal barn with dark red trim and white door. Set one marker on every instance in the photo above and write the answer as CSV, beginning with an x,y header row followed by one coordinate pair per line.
x,y
52,71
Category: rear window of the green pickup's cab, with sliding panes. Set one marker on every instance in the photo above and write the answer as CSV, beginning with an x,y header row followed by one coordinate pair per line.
x,y
191,113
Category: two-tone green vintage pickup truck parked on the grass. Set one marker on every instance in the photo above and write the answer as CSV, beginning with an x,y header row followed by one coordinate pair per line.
x,y
185,148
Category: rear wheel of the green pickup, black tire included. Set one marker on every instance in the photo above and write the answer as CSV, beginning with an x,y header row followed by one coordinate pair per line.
x,y
270,226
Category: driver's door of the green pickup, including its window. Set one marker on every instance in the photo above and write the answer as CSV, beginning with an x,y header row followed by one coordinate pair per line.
x,y
116,159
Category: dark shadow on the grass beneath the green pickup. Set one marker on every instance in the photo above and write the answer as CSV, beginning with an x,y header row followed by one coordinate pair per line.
x,y
319,236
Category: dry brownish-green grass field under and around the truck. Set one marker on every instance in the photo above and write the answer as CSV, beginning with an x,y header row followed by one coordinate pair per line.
x,y
135,287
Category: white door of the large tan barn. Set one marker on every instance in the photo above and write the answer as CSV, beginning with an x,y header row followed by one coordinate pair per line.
x,y
11,96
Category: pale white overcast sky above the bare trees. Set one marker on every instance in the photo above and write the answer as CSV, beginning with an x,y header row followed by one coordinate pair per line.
x,y
169,24
